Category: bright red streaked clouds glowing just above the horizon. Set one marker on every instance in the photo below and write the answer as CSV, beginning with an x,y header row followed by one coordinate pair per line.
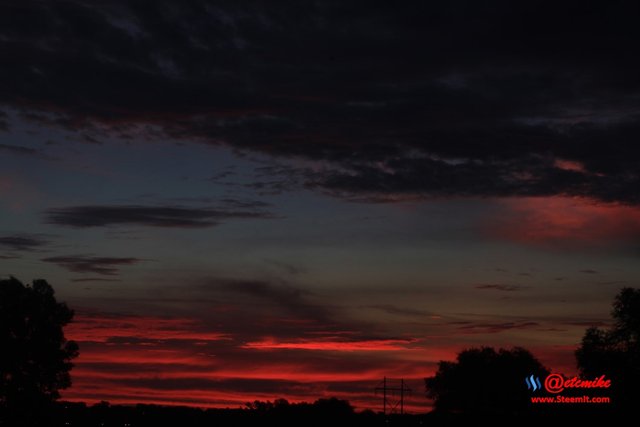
x,y
162,360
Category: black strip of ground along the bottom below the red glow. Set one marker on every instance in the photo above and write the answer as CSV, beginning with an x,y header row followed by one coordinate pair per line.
x,y
103,415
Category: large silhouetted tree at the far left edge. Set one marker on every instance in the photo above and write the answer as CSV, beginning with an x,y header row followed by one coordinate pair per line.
x,y
35,357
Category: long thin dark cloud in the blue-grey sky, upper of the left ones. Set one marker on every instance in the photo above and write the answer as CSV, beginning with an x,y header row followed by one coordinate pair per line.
x,y
153,216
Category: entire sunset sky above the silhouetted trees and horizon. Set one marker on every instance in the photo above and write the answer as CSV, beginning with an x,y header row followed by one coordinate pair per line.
x,y
257,200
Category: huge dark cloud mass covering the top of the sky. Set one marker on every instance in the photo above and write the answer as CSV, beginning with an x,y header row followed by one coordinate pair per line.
x,y
387,101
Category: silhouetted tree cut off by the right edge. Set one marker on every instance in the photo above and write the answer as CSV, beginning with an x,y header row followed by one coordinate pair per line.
x,y
616,352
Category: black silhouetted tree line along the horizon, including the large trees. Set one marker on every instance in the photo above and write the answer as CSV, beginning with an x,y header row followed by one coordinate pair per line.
x,y
36,360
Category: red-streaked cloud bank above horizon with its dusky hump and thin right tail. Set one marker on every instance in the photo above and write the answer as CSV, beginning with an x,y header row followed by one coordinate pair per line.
x,y
237,340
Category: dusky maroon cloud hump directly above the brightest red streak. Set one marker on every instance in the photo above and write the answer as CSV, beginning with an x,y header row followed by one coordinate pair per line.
x,y
287,311
